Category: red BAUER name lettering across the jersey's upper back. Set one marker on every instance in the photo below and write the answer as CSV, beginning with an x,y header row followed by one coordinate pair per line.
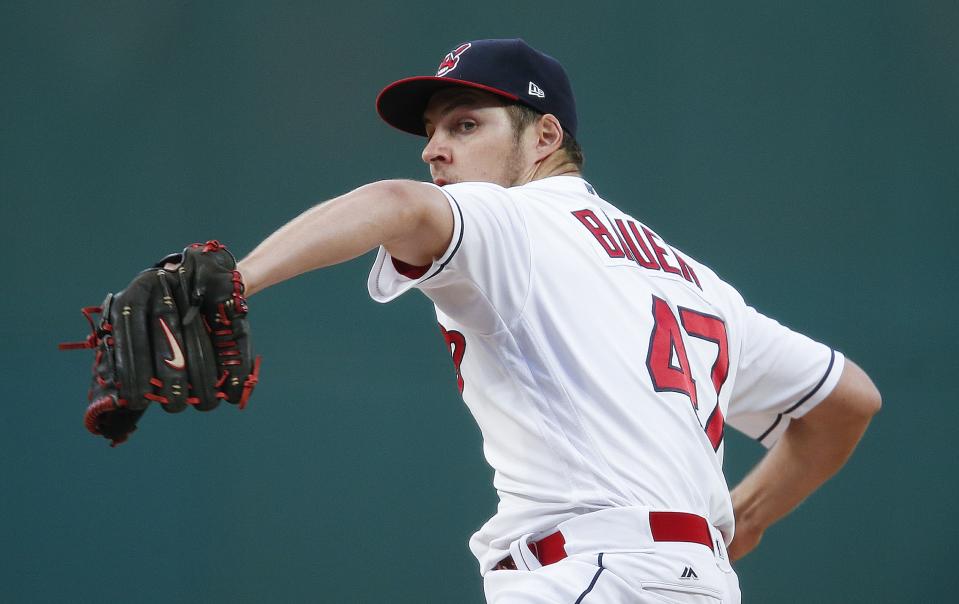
x,y
635,242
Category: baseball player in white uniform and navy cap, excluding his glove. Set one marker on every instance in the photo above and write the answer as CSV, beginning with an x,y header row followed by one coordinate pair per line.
x,y
601,363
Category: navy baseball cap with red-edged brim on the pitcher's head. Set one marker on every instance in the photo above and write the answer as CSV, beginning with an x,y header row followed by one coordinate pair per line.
x,y
511,69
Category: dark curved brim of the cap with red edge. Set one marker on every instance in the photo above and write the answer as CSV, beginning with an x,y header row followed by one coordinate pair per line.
x,y
402,103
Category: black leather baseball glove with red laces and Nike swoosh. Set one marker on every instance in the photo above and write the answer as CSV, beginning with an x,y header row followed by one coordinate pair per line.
x,y
178,335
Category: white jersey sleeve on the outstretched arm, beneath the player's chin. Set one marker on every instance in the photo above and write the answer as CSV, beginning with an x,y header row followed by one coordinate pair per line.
x,y
484,273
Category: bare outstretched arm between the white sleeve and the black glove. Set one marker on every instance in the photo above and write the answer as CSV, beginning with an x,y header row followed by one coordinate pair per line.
x,y
411,219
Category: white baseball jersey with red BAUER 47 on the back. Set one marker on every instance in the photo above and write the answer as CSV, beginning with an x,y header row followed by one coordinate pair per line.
x,y
600,363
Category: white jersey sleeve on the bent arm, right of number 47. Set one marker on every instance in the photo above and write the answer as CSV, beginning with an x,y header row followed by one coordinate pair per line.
x,y
782,375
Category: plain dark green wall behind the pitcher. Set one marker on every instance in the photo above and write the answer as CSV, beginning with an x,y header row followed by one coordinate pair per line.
x,y
805,151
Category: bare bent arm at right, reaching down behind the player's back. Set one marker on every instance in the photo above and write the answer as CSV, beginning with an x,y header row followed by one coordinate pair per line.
x,y
812,449
